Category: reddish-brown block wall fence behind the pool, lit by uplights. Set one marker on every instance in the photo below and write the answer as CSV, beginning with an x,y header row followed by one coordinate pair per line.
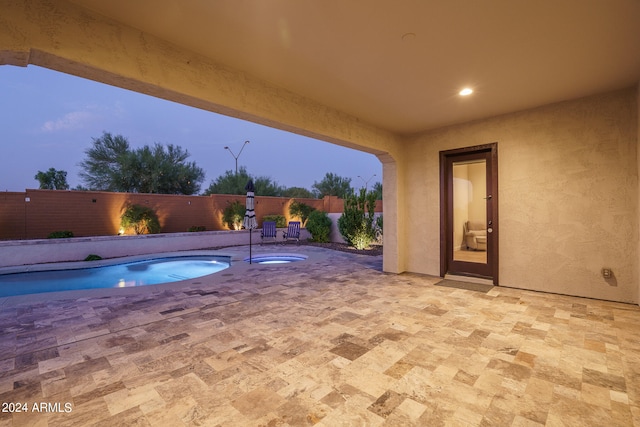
x,y
34,214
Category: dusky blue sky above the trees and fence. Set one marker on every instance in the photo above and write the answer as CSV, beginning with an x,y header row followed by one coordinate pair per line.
x,y
48,120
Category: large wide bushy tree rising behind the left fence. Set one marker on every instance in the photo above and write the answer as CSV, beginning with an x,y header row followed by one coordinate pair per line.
x,y
111,165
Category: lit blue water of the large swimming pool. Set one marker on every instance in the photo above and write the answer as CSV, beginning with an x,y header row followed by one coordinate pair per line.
x,y
139,273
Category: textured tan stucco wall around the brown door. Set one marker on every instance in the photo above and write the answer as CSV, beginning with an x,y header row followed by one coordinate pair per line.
x,y
568,191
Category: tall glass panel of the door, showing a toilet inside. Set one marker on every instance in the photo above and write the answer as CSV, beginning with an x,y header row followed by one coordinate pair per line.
x,y
470,211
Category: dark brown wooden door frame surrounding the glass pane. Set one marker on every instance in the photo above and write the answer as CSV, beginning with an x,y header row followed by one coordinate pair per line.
x,y
446,215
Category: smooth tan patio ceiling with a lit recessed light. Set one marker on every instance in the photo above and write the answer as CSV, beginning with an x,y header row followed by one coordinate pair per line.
x,y
400,64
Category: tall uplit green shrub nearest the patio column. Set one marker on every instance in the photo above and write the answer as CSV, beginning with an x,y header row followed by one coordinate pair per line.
x,y
357,221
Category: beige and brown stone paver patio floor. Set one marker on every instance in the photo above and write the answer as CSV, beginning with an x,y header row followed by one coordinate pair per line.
x,y
331,341
